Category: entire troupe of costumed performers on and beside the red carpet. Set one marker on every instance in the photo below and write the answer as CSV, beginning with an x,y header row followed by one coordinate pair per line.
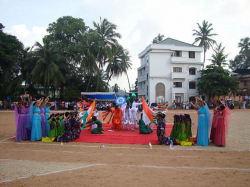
x,y
34,122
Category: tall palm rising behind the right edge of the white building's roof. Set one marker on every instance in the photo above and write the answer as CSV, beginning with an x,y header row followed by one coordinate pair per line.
x,y
204,34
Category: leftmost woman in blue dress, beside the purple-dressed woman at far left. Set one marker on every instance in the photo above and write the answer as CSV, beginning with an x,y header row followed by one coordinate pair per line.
x,y
36,131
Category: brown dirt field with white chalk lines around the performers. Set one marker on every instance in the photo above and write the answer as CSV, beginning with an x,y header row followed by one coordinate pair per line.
x,y
84,164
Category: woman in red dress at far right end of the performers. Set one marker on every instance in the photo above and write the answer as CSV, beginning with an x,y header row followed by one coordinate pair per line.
x,y
222,124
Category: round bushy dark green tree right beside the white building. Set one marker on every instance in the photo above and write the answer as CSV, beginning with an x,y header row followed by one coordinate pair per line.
x,y
216,81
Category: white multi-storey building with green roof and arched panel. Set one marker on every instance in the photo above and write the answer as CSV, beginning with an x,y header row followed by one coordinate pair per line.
x,y
169,71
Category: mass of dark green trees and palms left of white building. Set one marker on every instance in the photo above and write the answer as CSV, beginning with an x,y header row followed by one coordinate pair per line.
x,y
72,58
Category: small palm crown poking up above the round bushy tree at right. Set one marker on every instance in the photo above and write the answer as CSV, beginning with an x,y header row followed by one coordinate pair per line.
x,y
219,58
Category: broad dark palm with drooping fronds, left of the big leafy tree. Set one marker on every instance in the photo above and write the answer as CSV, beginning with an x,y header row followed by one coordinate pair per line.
x,y
47,71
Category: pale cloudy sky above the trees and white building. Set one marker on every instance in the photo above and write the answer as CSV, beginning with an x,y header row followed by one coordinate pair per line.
x,y
138,21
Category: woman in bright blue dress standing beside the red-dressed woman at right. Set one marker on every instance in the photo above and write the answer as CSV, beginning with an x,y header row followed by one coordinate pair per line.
x,y
204,124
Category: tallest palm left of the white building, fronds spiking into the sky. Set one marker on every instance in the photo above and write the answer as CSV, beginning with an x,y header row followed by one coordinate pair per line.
x,y
108,37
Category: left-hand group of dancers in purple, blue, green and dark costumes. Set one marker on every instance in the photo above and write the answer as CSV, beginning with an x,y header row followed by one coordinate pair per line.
x,y
34,122
